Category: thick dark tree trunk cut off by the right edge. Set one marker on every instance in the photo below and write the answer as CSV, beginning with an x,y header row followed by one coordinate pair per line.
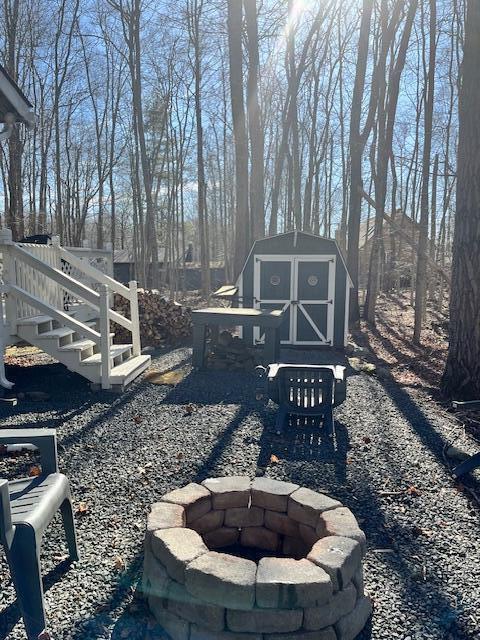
x,y
461,378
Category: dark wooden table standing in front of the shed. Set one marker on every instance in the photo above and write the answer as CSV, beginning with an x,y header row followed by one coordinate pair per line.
x,y
270,321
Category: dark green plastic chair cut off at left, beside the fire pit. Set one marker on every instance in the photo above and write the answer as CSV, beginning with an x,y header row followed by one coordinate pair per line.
x,y
27,506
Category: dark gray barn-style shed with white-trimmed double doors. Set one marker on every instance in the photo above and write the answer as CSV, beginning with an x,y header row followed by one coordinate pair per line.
x,y
306,276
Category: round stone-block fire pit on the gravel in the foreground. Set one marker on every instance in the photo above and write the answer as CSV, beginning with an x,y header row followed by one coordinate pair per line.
x,y
233,558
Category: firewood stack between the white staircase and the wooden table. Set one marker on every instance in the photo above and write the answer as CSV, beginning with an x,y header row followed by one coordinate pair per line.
x,y
162,321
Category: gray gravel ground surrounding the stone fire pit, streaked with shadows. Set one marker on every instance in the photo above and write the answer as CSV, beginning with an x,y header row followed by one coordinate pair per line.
x,y
122,452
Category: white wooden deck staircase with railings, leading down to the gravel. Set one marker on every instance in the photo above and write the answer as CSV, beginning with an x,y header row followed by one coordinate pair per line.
x,y
48,307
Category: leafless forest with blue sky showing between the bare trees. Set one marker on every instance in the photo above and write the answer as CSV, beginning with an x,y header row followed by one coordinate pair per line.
x,y
164,123
